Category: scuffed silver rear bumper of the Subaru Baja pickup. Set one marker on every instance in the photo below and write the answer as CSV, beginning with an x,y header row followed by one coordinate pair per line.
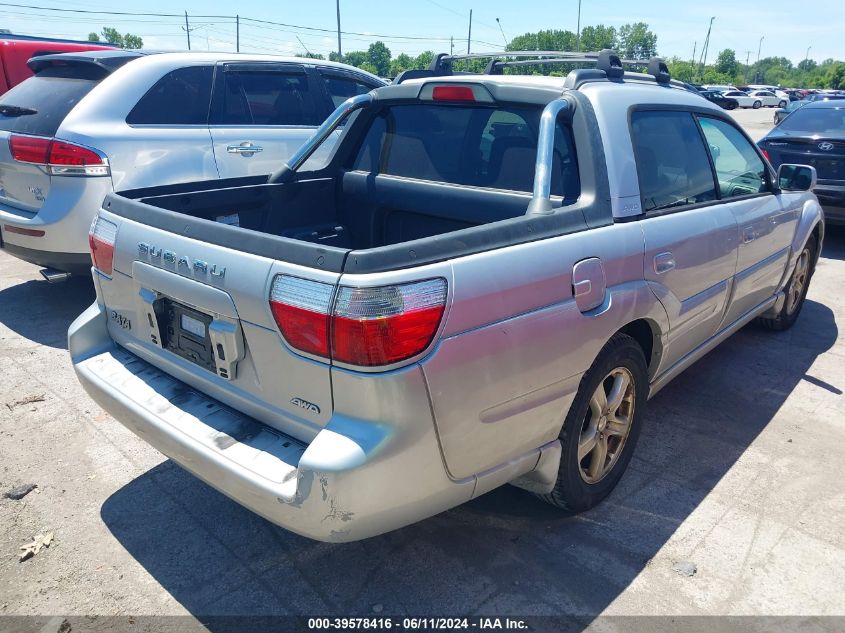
x,y
357,478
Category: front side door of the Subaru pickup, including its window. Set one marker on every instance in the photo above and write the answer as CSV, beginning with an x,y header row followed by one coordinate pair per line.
x,y
766,222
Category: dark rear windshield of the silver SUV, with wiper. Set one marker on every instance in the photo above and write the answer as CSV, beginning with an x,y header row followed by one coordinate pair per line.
x,y
52,94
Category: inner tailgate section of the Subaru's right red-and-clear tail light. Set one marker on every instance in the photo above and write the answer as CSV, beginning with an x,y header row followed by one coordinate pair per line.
x,y
301,310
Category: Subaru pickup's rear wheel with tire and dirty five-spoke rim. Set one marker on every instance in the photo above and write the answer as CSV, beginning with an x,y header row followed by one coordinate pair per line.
x,y
601,429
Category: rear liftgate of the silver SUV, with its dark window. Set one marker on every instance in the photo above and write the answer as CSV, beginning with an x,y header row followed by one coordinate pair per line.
x,y
36,107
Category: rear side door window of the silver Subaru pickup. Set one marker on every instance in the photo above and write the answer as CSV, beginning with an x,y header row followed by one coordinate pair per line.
x,y
672,162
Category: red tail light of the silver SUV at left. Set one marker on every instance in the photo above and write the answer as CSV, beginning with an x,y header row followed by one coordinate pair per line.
x,y
59,157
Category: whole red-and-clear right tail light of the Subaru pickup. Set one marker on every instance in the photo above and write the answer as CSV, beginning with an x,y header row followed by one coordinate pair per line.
x,y
358,326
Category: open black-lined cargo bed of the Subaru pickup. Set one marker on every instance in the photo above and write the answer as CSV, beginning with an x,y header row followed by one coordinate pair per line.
x,y
352,222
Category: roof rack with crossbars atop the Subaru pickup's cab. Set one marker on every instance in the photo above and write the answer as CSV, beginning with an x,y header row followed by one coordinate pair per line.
x,y
607,61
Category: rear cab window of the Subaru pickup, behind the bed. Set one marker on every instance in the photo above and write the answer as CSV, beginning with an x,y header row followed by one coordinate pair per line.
x,y
478,146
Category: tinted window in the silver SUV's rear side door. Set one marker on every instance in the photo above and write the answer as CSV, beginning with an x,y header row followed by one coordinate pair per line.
x,y
266,98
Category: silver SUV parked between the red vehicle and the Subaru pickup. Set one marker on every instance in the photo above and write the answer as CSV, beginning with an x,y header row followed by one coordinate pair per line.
x,y
92,122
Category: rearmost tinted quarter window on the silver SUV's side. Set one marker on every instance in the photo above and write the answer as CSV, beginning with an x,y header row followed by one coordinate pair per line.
x,y
181,97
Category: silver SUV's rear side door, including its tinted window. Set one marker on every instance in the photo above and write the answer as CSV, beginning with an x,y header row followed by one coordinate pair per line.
x,y
261,113
